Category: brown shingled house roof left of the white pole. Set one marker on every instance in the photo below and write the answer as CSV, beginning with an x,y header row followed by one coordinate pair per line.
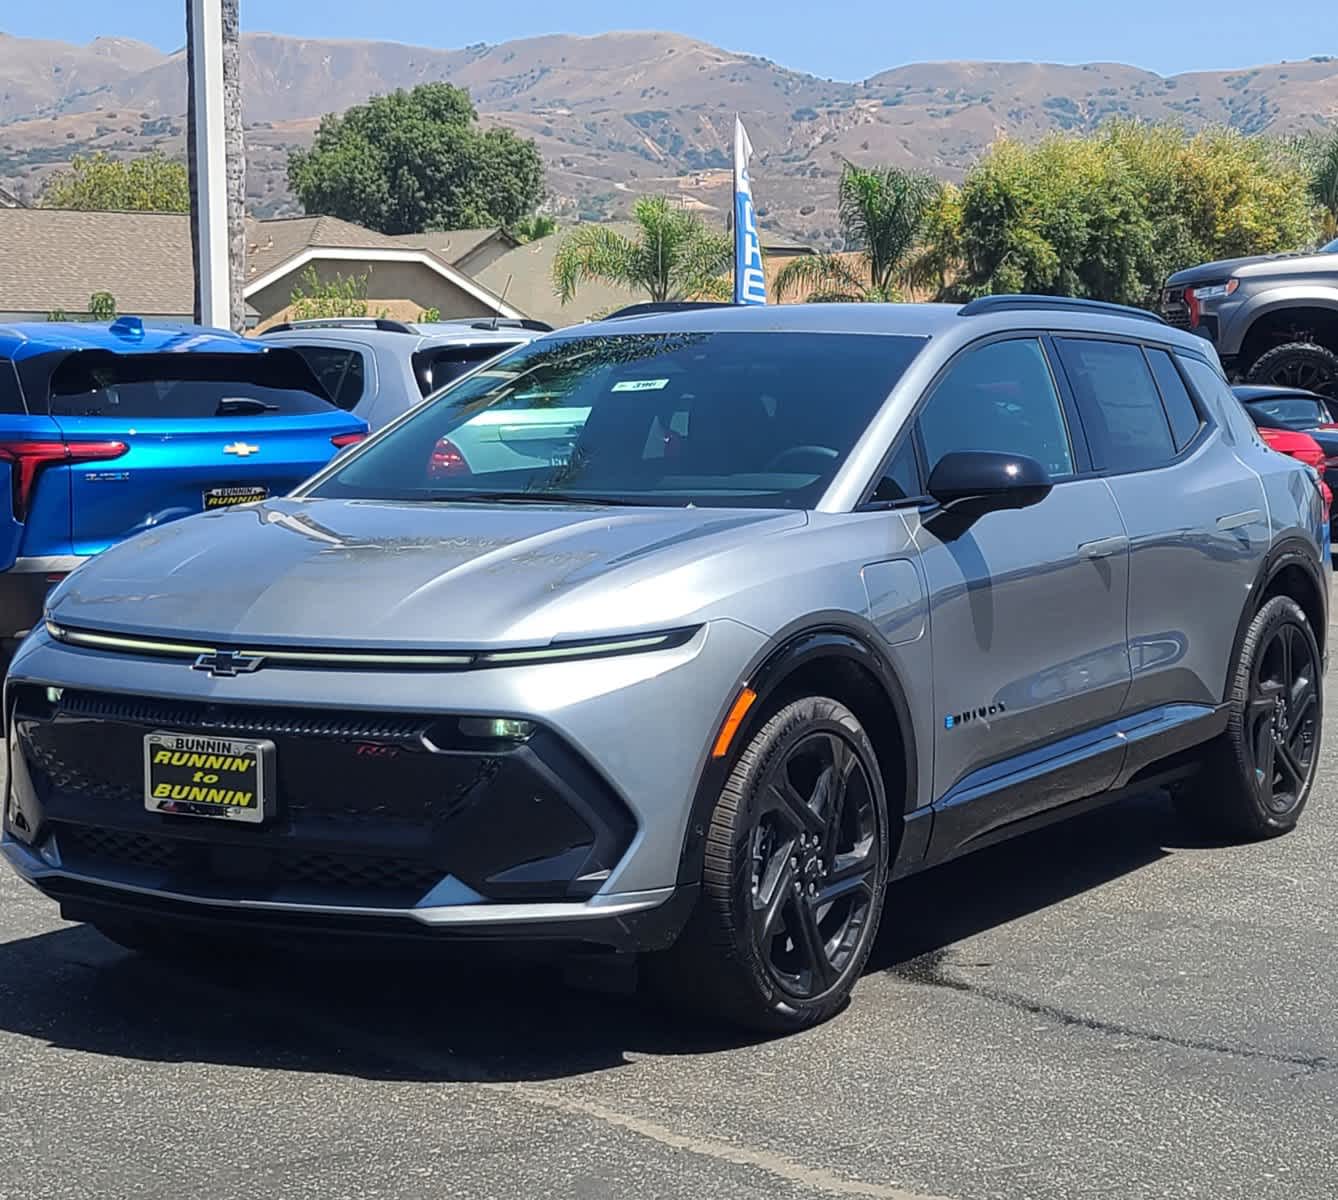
x,y
57,259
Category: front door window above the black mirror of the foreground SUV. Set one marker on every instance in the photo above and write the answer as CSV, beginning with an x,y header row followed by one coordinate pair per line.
x,y
999,398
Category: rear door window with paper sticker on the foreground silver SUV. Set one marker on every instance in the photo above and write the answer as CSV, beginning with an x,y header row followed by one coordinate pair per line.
x,y
1122,410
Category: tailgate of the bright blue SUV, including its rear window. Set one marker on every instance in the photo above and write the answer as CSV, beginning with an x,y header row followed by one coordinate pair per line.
x,y
201,431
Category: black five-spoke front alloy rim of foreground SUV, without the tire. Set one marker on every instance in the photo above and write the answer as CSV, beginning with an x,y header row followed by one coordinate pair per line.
x,y
814,852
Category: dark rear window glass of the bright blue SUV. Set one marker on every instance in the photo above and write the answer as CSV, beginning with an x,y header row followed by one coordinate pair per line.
x,y
102,385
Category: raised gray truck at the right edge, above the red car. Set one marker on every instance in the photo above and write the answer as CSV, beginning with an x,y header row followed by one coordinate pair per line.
x,y
1273,319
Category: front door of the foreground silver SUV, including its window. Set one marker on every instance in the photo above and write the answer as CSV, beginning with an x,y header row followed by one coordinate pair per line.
x,y
1027,608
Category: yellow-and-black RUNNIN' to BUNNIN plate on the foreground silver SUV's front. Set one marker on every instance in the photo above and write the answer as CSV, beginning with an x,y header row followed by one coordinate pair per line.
x,y
189,775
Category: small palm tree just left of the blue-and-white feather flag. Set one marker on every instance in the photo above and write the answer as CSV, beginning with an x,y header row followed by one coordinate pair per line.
x,y
675,256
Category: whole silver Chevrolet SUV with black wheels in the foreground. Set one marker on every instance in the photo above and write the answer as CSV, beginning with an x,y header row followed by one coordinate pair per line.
x,y
809,599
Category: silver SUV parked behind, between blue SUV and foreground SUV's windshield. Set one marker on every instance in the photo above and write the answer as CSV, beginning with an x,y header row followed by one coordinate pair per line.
x,y
378,369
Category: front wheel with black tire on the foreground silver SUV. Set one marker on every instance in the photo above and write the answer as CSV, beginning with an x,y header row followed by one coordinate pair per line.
x,y
786,920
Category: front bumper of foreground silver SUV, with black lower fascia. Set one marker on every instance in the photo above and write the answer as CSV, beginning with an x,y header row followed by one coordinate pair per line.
x,y
577,835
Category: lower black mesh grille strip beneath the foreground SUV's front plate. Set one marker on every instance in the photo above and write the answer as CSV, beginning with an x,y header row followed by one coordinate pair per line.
x,y
94,847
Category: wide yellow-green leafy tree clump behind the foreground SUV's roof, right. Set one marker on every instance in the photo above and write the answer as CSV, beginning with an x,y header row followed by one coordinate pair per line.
x,y
1110,216
